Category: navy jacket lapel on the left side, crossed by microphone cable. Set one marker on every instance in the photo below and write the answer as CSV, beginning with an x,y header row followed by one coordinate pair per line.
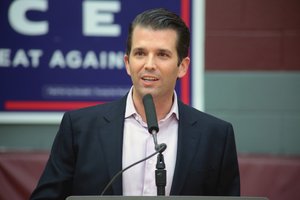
x,y
111,138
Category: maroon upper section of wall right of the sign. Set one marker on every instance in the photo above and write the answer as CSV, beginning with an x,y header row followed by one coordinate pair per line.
x,y
252,35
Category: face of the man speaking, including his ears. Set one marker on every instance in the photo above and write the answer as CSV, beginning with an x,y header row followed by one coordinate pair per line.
x,y
153,62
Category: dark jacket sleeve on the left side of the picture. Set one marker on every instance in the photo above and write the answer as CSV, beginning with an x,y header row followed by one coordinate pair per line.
x,y
56,180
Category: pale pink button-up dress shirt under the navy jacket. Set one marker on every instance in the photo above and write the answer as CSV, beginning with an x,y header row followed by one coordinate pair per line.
x,y
138,144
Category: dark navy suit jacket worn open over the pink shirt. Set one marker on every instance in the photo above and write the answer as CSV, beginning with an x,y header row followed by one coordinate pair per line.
x,y
87,153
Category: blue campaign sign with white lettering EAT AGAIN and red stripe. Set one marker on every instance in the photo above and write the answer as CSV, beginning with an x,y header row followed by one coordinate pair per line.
x,y
60,55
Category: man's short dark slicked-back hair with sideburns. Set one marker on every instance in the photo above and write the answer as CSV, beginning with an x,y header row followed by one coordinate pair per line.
x,y
159,19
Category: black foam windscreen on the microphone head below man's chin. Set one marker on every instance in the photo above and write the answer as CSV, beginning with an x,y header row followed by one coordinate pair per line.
x,y
150,113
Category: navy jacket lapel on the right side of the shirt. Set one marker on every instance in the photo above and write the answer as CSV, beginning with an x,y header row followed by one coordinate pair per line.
x,y
188,139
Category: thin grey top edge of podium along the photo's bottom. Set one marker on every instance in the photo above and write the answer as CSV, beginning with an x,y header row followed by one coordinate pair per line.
x,y
162,198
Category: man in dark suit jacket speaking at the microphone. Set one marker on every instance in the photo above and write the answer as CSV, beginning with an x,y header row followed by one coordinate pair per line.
x,y
94,143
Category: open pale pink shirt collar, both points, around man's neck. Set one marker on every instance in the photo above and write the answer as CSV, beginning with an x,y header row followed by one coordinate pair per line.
x,y
130,109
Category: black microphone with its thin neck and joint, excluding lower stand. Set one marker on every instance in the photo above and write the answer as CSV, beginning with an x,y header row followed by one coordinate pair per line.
x,y
152,121
